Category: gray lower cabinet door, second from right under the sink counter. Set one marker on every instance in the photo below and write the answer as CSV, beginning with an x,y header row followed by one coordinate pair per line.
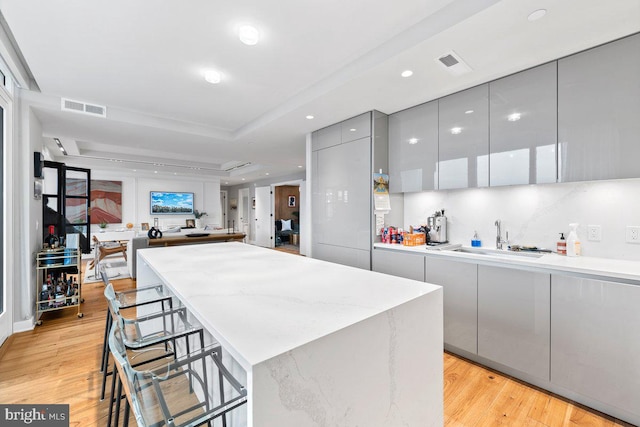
x,y
514,309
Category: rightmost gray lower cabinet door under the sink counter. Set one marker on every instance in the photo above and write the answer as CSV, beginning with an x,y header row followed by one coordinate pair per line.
x,y
595,340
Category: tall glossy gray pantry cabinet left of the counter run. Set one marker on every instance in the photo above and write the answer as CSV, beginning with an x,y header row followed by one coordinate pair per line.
x,y
344,157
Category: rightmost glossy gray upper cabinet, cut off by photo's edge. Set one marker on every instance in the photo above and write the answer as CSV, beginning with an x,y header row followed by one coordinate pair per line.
x,y
598,111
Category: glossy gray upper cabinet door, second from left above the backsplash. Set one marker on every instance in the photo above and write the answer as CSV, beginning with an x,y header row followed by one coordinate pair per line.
x,y
463,160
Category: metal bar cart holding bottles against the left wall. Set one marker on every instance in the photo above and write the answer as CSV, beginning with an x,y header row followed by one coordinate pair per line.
x,y
51,265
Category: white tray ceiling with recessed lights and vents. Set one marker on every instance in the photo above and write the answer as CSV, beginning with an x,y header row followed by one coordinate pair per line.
x,y
144,60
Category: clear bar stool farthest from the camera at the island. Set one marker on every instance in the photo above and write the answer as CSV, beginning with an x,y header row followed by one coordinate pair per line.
x,y
129,299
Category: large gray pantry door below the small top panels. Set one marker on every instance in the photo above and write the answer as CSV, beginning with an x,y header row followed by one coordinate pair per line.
x,y
342,195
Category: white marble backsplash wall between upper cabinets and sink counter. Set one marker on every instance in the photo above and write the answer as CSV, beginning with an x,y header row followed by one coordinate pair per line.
x,y
536,214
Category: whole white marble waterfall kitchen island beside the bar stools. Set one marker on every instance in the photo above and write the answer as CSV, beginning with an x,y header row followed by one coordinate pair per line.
x,y
315,343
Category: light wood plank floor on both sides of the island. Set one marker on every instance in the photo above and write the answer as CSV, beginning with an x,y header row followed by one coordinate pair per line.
x,y
58,363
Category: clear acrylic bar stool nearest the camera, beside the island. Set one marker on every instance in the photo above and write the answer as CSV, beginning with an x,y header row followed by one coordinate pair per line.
x,y
175,392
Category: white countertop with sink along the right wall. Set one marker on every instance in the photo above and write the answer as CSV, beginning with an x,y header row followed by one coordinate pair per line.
x,y
602,267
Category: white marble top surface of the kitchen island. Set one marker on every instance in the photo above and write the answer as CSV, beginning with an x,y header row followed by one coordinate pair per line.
x,y
260,303
